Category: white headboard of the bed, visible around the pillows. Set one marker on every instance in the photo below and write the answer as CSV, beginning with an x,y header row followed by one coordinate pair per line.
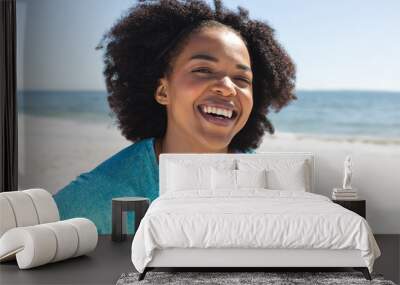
x,y
212,159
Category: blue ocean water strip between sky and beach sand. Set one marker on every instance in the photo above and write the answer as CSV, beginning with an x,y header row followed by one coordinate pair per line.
x,y
368,114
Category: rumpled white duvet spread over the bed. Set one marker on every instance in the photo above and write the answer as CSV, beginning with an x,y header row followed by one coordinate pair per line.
x,y
252,218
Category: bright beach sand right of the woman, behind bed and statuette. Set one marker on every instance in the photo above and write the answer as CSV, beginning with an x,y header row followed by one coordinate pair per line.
x,y
376,173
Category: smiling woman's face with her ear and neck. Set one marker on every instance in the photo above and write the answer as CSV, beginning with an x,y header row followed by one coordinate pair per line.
x,y
208,94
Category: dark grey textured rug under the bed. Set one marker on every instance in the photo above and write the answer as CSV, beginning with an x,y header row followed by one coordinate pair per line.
x,y
243,278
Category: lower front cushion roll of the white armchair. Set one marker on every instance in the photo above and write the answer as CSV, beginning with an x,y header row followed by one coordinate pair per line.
x,y
40,244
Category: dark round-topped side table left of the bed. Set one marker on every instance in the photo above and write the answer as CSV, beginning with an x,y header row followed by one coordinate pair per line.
x,y
120,206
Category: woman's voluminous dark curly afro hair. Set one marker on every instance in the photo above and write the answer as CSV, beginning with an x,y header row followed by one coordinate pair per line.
x,y
139,50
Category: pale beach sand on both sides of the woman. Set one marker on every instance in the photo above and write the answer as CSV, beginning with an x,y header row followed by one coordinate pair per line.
x,y
53,151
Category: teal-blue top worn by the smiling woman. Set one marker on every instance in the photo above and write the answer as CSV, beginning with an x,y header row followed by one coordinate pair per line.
x,y
131,172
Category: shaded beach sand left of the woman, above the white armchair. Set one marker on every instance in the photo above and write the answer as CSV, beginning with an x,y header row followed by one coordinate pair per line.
x,y
53,151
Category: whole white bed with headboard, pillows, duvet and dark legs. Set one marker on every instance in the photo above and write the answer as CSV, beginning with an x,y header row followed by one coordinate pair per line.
x,y
248,211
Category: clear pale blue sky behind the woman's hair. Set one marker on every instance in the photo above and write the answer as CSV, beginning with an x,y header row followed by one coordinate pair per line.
x,y
341,44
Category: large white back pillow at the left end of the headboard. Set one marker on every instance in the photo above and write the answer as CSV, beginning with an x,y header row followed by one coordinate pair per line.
x,y
181,177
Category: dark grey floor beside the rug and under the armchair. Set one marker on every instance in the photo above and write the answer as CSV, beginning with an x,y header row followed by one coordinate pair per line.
x,y
110,260
